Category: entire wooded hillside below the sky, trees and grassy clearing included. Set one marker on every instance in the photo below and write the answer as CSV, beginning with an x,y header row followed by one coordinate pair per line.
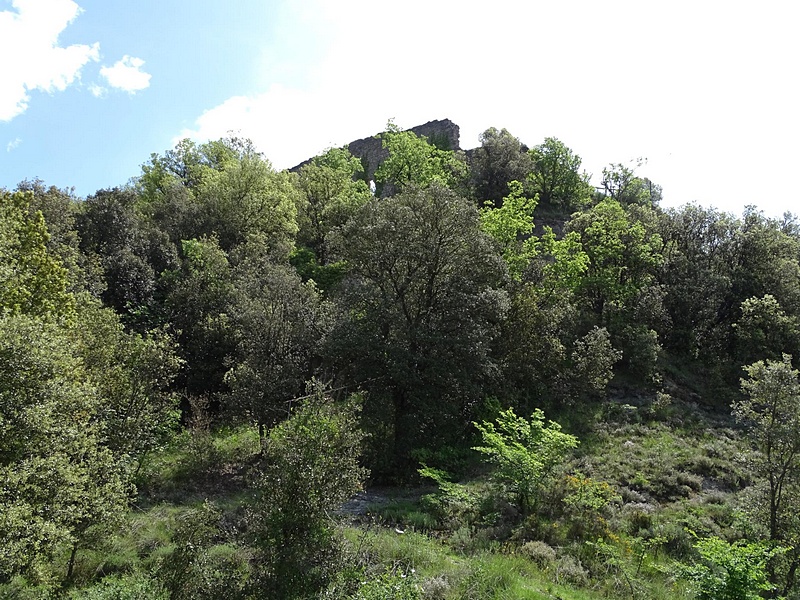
x,y
471,376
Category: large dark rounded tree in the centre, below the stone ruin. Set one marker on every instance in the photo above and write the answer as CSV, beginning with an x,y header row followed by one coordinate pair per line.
x,y
419,311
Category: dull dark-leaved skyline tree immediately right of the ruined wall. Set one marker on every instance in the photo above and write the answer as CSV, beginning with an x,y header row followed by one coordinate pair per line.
x,y
500,159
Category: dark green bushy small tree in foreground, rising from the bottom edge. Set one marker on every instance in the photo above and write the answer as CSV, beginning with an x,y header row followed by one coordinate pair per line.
x,y
311,465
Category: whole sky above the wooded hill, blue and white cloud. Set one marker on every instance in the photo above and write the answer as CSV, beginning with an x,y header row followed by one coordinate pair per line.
x,y
706,91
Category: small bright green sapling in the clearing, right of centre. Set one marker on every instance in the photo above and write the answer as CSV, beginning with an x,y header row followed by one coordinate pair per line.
x,y
525,453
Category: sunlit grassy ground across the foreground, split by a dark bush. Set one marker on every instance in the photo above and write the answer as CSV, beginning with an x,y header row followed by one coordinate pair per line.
x,y
462,542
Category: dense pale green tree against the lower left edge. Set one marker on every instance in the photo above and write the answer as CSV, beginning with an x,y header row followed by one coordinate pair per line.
x,y
57,479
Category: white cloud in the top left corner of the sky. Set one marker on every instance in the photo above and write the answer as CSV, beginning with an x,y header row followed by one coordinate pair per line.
x,y
31,56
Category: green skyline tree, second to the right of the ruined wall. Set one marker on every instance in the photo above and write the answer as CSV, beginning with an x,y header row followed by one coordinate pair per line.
x,y
556,176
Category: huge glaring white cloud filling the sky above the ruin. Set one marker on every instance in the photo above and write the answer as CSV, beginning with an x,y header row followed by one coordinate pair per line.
x,y
702,90
